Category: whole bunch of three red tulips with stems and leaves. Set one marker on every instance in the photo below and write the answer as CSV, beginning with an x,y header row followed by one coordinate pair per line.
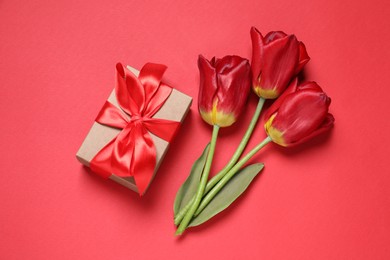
x,y
299,112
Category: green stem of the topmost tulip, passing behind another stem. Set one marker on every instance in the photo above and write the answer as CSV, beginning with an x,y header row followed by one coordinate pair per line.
x,y
230,164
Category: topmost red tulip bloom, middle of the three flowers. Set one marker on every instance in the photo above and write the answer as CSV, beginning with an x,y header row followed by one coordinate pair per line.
x,y
276,59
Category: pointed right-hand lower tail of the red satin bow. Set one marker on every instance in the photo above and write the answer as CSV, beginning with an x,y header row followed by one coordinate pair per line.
x,y
144,159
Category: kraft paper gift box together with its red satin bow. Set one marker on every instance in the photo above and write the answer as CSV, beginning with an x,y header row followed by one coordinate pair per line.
x,y
132,132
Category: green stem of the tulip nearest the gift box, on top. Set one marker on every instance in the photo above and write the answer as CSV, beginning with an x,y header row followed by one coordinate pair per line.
x,y
202,185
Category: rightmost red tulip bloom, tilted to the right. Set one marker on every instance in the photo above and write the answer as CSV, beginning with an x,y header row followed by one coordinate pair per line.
x,y
299,114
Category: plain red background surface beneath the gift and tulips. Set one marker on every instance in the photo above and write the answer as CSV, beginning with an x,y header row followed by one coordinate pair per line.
x,y
328,199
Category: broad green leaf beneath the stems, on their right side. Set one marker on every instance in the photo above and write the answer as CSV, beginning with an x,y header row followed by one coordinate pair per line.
x,y
229,193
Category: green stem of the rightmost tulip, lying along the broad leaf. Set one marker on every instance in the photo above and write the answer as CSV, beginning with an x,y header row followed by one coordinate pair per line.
x,y
206,200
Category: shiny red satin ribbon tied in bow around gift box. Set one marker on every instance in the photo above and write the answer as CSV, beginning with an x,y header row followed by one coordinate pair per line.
x,y
132,152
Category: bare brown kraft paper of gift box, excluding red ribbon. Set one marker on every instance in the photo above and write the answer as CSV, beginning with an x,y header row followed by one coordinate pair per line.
x,y
175,108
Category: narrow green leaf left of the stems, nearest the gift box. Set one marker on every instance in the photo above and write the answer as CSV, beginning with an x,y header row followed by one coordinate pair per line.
x,y
188,189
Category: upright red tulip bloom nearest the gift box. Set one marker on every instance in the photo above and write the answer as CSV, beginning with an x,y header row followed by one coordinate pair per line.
x,y
224,88
